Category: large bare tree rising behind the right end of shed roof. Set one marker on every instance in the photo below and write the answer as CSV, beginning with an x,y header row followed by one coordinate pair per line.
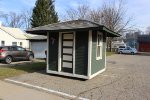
x,y
114,18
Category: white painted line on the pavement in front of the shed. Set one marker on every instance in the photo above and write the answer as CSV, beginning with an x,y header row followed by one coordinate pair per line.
x,y
45,89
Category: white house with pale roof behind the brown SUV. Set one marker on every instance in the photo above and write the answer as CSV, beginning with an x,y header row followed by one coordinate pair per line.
x,y
13,36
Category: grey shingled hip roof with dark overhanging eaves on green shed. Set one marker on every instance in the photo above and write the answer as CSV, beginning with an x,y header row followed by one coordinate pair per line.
x,y
72,25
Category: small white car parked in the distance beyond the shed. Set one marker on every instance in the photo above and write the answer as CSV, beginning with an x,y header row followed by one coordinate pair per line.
x,y
126,50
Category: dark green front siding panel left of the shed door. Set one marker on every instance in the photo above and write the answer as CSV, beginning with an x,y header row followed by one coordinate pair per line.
x,y
53,51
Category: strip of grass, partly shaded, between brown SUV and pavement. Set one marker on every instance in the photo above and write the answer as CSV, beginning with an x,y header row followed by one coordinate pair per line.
x,y
9,71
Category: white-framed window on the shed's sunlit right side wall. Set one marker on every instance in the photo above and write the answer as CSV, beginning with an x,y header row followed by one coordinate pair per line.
x,y
99,46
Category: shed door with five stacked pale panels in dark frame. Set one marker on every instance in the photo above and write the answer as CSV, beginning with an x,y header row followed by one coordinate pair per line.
x,y
67,52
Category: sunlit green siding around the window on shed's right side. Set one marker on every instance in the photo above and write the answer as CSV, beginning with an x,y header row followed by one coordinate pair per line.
x,y
97,65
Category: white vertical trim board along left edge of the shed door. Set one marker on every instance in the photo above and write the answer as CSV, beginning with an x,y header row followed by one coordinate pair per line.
x,y
59,51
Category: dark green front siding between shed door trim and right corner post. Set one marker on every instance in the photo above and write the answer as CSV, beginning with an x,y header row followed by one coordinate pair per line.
x,y
81,53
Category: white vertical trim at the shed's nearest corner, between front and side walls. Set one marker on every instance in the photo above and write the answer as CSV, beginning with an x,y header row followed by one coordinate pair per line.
x,y
89,52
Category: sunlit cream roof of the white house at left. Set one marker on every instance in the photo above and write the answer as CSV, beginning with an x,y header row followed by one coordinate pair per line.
x,y
14,32
